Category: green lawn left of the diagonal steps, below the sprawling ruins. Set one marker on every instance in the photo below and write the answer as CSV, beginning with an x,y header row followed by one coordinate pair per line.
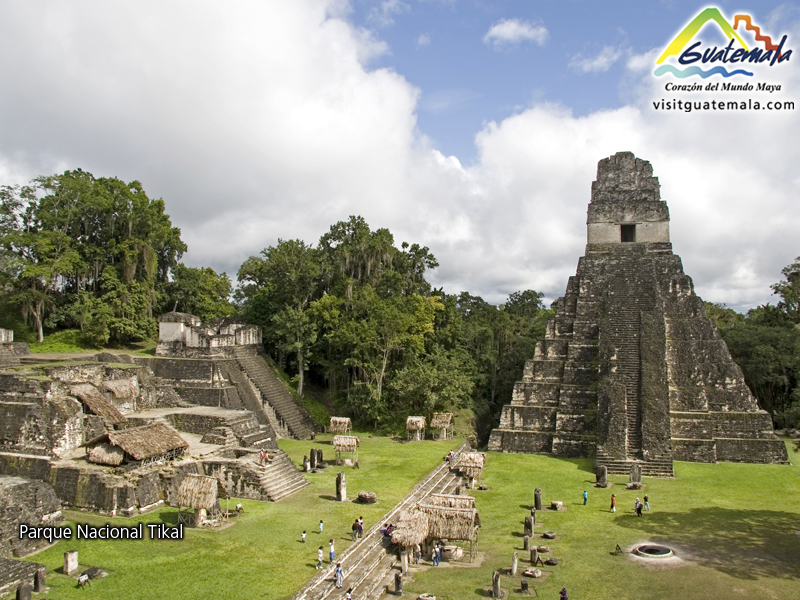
x,y
261,556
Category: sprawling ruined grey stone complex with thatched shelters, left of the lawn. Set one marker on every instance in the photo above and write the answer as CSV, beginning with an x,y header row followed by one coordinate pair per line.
x,y
103,432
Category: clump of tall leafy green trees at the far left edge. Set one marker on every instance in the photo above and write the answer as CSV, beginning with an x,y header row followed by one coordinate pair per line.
x,y
61,234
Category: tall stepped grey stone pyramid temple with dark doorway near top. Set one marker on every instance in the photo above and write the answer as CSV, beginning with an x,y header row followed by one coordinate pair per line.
x,y
631,369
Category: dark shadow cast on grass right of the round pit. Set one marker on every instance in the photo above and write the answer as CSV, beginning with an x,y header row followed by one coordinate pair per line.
x,y
741,543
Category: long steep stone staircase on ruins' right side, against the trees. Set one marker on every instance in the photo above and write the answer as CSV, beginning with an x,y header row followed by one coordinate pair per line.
x,y
290,415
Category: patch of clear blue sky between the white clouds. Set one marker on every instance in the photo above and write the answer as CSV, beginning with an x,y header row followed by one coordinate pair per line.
x,y
439,47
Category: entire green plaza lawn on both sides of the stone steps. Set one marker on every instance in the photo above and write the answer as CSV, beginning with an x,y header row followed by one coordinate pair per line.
x,y
736,526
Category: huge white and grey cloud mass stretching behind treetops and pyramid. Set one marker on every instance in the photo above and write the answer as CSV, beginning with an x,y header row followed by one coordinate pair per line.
x,y
271,126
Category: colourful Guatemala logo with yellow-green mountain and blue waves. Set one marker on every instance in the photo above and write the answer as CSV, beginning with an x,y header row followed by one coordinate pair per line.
x,y
736,58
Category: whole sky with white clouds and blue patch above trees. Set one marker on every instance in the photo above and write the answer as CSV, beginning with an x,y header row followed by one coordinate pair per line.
x,y
469,126
